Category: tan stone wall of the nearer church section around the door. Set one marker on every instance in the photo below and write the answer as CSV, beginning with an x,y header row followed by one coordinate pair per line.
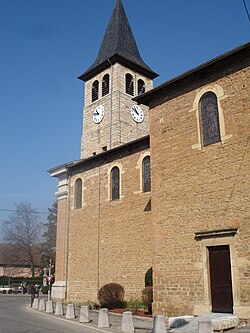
x,y
197,190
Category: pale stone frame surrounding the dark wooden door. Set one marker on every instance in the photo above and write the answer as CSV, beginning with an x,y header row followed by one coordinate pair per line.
x,y
206,305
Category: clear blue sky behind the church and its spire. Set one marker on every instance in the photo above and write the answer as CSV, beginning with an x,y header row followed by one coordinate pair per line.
x,y
46,44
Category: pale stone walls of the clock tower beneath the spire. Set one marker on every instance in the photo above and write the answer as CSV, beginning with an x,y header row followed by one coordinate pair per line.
x,y
117,126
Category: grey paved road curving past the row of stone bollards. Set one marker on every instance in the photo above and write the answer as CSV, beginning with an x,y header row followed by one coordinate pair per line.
x,y
16,316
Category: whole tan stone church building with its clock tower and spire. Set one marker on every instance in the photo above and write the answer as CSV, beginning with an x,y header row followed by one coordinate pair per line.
x,y
163,182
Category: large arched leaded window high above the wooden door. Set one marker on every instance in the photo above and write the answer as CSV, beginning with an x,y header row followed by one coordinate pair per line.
x,y
209,119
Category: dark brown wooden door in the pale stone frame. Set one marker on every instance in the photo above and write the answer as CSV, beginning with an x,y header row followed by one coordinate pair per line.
x,y
220,279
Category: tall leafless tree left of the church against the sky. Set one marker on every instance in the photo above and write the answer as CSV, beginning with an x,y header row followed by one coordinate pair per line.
x,y
21,230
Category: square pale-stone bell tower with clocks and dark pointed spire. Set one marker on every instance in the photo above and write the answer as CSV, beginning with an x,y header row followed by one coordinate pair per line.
x,y
111,118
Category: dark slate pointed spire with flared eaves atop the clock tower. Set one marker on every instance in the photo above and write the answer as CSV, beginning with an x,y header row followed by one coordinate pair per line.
x,y
118,45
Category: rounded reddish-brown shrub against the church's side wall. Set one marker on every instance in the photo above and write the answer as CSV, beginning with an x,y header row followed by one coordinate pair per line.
x,y
111,296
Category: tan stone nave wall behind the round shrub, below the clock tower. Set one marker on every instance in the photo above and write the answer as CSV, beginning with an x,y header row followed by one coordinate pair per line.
x,y
110,241
